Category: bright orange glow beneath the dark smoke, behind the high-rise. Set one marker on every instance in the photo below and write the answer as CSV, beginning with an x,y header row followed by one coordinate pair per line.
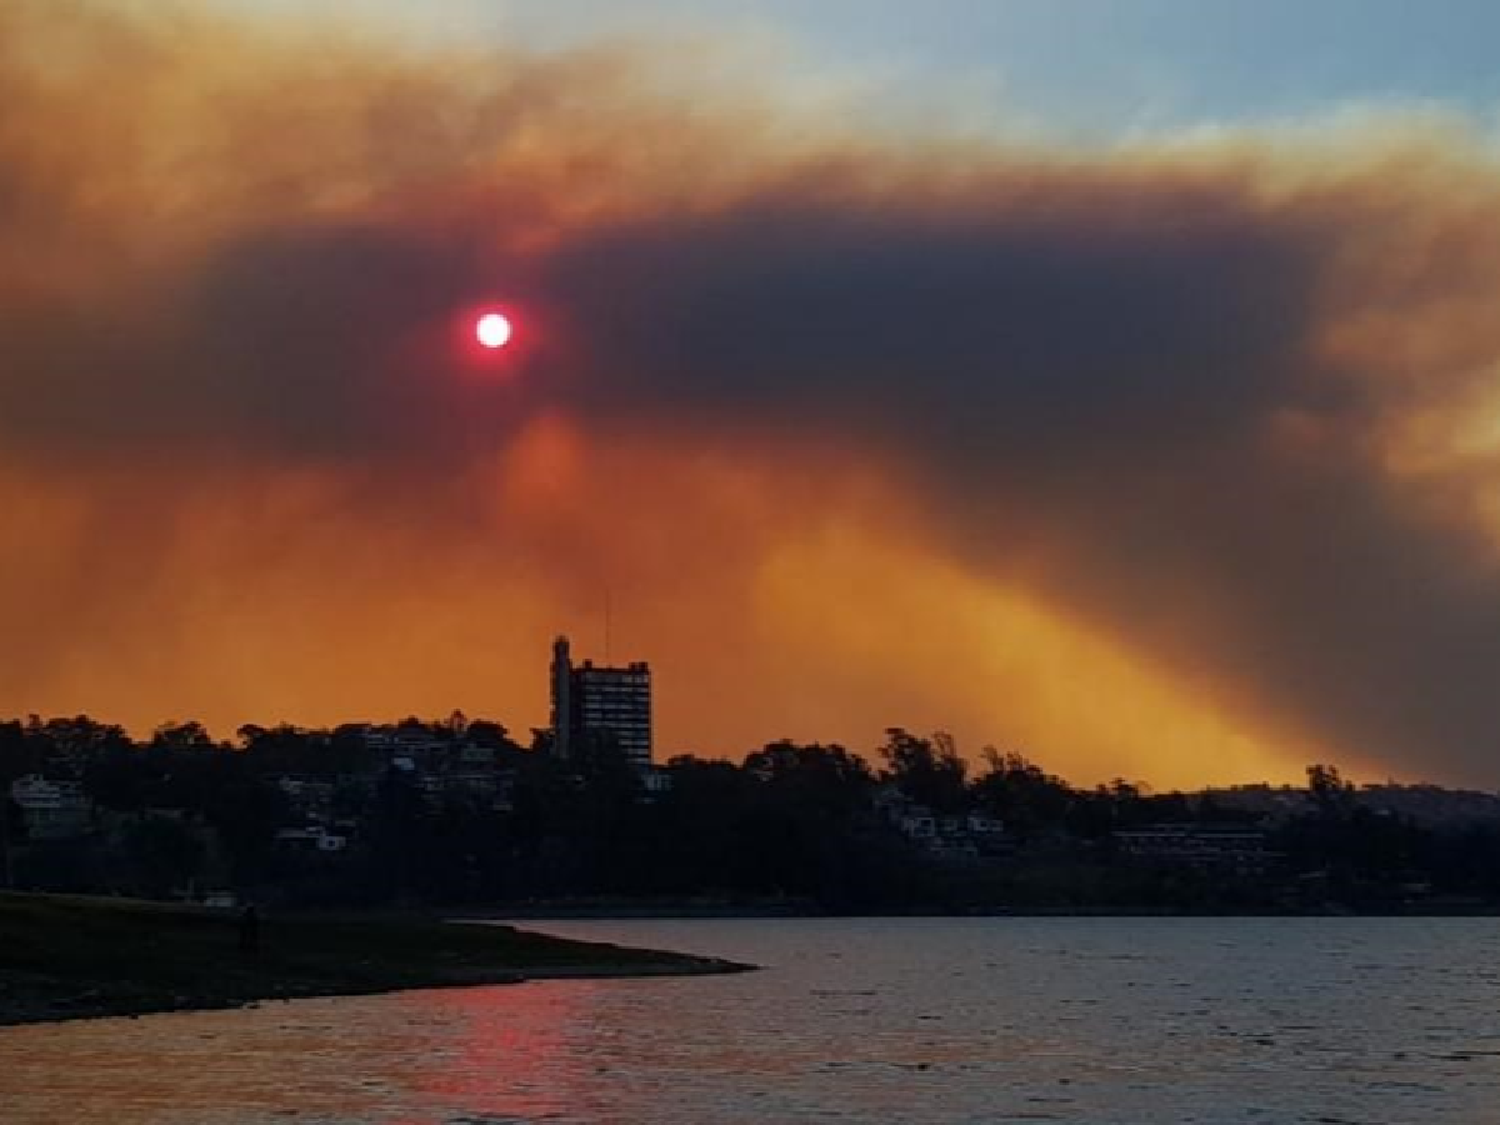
x,y
823,622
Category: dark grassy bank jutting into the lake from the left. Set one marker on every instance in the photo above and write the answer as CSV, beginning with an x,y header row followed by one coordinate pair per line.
x,y
70,958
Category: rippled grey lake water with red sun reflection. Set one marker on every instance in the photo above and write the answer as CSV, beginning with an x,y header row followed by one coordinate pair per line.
x,y
853,1021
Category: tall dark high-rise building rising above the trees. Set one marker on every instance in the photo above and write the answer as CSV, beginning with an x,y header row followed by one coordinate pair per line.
x,y
595,704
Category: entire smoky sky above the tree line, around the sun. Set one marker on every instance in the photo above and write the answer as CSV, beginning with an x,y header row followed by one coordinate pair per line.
x,y
1117,383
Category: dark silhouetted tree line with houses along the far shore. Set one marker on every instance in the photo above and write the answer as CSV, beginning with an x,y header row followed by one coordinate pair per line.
x,y
473,817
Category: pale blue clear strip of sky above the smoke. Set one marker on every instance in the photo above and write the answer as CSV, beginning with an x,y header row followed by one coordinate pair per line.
x,y
1091,70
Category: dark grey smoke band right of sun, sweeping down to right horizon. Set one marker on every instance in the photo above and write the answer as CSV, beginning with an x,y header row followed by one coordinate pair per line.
x,y
1091,385
